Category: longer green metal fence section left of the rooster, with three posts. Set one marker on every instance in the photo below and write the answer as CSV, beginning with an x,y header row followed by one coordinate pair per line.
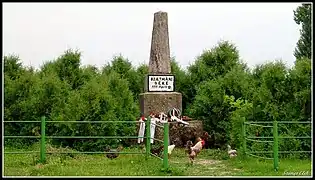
x,y
43,138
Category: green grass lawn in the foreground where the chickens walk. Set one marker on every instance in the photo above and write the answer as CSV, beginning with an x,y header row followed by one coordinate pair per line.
x,y
208,163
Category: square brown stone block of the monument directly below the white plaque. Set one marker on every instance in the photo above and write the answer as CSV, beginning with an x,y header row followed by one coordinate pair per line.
x,y
157,102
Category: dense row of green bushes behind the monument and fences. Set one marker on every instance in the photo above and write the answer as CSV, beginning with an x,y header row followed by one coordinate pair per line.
x,y
218,89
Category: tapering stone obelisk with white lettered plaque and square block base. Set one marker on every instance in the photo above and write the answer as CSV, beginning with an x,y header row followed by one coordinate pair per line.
x,y
159,95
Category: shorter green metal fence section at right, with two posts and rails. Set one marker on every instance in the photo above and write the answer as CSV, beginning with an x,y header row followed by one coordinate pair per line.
x,y
275,139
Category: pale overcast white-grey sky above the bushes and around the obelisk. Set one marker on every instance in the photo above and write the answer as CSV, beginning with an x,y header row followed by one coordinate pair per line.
x,y
40,32
